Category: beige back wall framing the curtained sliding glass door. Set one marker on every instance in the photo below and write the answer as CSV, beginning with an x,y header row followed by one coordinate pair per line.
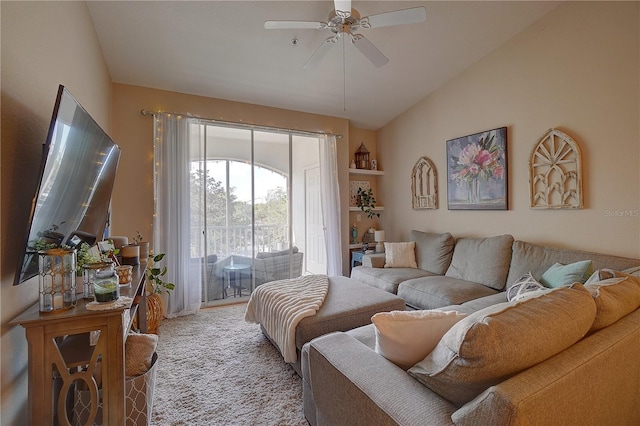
x,y
133,193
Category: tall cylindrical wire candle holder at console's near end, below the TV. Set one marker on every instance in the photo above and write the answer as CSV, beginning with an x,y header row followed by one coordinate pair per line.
x,y
57,279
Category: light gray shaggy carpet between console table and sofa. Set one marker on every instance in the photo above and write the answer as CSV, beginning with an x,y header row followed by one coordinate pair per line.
x,y
216,369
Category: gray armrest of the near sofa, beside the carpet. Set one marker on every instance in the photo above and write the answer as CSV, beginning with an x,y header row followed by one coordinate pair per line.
x,y
351,384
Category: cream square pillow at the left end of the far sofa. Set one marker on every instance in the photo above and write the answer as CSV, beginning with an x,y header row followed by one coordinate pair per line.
x,y
433,251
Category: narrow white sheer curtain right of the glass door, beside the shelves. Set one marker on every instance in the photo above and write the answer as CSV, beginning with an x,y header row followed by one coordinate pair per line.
x,y
330,196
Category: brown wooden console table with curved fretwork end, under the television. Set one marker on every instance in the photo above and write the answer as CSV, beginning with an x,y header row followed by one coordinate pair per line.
x,y
59,347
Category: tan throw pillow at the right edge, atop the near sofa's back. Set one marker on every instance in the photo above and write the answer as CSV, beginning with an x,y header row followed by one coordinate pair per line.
x,y
615,298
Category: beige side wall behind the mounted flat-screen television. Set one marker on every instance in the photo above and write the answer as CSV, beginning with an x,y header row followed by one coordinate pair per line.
x,y
43,44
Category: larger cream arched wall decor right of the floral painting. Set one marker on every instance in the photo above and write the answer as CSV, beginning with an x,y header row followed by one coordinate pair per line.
x,y
555,173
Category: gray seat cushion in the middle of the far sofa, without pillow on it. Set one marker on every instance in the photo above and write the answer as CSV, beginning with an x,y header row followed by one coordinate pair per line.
x,y
433,292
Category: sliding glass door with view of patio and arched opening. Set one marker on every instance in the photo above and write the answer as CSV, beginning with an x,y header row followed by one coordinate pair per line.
x,y
255,212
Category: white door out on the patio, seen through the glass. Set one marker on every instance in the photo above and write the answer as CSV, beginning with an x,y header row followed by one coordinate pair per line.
x,y
316,257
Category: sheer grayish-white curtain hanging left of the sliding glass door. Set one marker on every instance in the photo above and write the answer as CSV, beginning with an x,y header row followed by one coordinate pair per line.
x,y
171,225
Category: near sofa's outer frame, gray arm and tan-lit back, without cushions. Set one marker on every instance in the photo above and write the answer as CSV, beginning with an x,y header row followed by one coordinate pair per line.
x,y
594,382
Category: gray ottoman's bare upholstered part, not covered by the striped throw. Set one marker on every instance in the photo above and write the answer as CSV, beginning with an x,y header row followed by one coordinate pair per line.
x,y
349,304
